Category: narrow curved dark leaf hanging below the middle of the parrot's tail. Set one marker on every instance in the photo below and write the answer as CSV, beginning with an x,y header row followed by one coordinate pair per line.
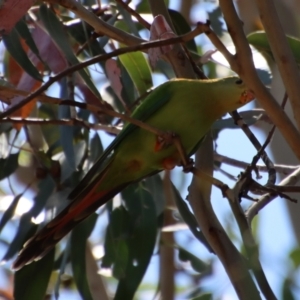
x,y
79,238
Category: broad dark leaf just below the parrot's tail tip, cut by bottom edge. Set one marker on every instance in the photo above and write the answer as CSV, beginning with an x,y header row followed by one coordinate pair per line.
x,y
31,282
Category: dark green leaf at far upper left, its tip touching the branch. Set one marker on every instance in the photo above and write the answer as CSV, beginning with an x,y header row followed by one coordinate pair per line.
x,y
14,47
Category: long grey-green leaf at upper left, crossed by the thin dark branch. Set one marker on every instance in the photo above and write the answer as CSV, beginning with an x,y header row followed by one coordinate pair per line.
x,y
58,34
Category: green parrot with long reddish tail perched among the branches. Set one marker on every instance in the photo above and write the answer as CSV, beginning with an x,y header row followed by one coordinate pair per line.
x,y
187,108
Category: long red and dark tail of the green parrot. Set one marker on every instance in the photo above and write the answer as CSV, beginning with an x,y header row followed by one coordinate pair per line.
x,y
78,210
